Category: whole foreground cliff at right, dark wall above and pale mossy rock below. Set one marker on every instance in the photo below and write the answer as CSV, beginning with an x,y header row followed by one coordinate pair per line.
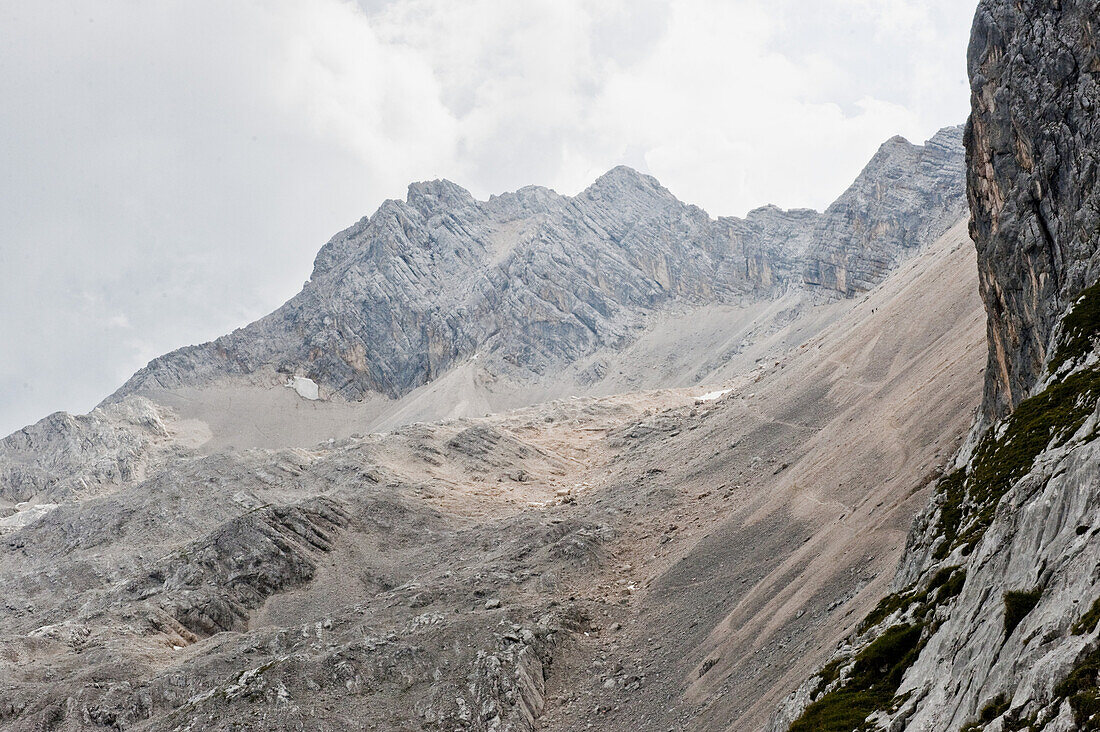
x,y
995,617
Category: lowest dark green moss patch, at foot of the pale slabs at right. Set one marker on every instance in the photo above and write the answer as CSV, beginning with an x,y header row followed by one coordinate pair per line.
x,y
872,686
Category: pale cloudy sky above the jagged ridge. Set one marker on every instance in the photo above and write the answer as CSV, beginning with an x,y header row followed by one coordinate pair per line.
x,y
171,168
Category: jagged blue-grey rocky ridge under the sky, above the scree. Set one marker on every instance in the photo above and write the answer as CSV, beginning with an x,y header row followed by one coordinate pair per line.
x,y
531,281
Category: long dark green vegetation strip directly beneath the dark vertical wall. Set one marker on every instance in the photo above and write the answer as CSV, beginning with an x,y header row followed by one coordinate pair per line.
x,y
969,501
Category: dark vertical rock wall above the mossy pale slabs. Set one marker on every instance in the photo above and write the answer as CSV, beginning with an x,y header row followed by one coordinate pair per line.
x,y
1032,168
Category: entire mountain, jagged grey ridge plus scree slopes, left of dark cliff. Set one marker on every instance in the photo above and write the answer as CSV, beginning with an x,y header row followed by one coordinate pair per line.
x,y
543,461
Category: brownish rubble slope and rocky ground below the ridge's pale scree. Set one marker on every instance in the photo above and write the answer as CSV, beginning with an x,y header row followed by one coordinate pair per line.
x,y
676,559
